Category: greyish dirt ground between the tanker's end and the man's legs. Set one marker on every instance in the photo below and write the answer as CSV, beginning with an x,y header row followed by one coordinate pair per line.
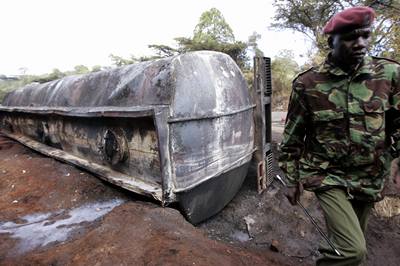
x,y
255,221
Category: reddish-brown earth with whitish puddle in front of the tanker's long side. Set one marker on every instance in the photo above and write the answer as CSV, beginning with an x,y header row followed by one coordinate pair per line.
x,y
55,214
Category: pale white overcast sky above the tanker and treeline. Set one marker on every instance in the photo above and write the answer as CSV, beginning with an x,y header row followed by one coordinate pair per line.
x,y
41,35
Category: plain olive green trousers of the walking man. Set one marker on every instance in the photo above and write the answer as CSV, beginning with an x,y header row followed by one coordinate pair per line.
x,y
346,221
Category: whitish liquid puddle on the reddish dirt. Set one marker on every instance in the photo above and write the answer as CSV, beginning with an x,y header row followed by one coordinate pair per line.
x,y
40,229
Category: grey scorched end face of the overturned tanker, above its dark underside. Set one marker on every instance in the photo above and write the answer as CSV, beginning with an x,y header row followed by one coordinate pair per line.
x,y
205,148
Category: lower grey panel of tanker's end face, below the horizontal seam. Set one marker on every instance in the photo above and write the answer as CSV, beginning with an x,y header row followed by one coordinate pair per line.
x,y
204,149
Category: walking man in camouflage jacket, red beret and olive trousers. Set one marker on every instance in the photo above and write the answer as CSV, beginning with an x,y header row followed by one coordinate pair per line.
x,y
342,126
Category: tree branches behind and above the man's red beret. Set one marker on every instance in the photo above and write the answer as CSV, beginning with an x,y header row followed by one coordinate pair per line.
x,y
310,16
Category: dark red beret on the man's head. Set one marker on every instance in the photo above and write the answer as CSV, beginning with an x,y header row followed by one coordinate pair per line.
x,y
350,19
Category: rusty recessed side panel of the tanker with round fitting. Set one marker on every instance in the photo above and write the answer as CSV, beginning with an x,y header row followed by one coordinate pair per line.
x,y
128,146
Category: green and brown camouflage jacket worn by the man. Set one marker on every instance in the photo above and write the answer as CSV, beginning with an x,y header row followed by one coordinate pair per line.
x,y
340,128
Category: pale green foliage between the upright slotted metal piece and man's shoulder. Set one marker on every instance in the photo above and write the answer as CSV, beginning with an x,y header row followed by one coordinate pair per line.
x,y
284,69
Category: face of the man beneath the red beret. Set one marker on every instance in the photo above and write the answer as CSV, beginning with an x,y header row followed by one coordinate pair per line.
x,y
351,47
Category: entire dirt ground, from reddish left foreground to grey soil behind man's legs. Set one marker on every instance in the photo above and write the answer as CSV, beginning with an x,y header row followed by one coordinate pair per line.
x,y
53,213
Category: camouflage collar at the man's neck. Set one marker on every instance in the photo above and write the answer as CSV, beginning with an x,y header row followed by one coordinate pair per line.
x,y
365,67
